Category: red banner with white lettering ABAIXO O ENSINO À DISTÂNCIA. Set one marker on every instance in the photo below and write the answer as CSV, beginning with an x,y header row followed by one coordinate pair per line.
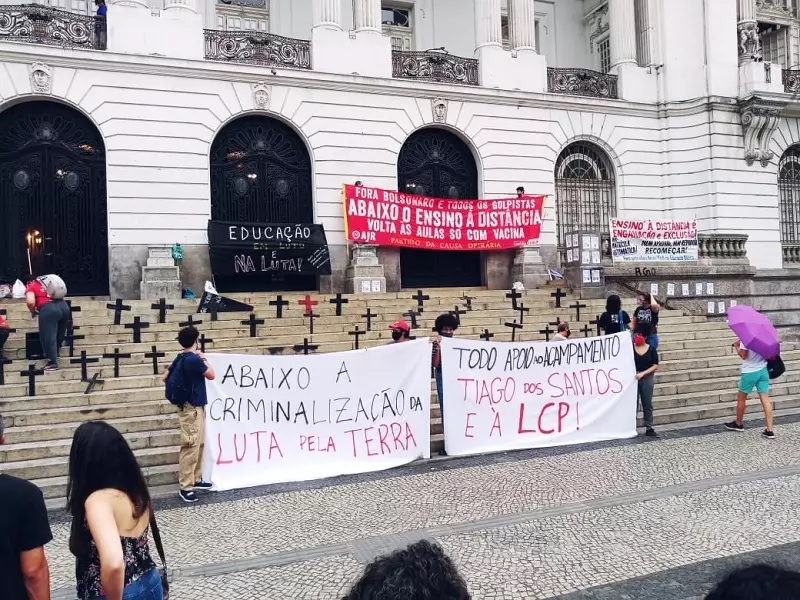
x,y
388,218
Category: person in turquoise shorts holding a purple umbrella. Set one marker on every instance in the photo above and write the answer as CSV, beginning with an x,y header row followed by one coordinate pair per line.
x,y
758,342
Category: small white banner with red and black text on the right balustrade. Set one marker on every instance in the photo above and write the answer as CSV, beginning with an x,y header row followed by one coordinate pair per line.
x,y
653,241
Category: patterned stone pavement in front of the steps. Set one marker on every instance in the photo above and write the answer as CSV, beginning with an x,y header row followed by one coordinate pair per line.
x,y
661,519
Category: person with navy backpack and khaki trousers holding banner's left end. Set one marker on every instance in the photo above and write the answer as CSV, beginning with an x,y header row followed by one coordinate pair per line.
x,y
186,389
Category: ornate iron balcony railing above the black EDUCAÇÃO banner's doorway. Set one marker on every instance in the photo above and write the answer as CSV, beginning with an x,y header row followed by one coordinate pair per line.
x,y
256,48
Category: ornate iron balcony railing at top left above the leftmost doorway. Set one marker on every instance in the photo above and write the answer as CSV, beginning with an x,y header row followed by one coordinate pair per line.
x,y
37,24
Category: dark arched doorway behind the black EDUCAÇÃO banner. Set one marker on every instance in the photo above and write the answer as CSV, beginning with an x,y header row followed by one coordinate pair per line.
x,y
261,173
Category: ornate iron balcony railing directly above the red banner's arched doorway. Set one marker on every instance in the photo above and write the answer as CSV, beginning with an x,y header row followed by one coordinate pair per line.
x,y
434,65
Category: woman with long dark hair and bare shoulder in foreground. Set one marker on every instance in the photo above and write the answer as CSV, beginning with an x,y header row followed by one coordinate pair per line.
x,y
111,515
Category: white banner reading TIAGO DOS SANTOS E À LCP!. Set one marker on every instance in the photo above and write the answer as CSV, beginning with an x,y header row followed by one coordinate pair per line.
x,y
509,396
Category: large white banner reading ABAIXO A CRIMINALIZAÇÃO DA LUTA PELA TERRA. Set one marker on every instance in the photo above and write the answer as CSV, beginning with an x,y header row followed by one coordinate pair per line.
x,y
272,419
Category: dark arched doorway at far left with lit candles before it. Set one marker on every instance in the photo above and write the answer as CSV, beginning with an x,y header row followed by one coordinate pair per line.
x,y
53,199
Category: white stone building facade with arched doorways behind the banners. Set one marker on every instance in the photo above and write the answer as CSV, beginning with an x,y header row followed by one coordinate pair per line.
x,y
128,133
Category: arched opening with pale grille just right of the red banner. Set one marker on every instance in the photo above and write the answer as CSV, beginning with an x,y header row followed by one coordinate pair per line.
x,y
586,193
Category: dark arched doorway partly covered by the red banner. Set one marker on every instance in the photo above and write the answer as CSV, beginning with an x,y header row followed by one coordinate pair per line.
x,y
435,162
